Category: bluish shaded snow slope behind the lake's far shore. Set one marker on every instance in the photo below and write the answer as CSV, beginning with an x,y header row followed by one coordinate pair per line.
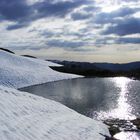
x,y
18,71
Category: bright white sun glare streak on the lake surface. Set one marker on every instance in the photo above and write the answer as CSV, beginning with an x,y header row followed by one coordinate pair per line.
x,y
123,109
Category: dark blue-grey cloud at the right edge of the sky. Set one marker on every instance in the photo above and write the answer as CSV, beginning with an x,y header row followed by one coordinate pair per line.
x,y
123,27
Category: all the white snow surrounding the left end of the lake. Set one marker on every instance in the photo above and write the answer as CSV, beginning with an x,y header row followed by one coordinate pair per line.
x,y
24,116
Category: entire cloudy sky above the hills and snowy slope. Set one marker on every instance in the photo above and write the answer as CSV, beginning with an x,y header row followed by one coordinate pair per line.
x,y
75,30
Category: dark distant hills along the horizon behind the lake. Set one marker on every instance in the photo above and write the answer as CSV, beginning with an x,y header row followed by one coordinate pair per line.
x,y
99,69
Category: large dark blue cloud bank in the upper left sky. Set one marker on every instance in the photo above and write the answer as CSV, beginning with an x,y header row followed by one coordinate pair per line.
x,y
22,13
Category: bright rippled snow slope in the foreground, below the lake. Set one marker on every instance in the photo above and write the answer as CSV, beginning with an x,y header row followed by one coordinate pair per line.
x,y
28,117
